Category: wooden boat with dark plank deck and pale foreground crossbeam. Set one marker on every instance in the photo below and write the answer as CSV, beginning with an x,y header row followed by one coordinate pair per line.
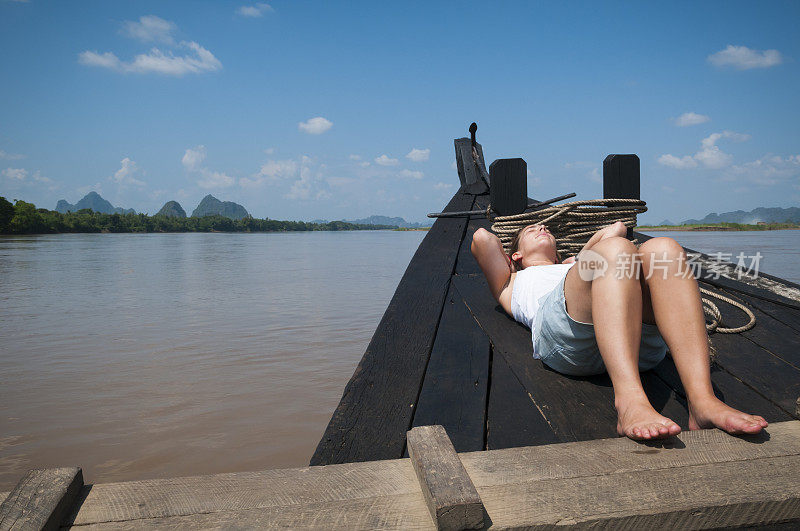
x,y
517,445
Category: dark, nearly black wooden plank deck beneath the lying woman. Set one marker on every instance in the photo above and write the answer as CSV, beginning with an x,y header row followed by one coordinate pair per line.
x,y
446,353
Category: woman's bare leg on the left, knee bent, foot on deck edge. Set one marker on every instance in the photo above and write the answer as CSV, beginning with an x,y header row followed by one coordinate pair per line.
x,y
616,312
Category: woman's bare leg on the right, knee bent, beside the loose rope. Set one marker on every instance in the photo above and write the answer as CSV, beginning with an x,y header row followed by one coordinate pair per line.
x,y
678,312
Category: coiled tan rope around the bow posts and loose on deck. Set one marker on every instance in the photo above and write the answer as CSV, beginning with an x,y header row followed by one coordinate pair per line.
x,y
574,223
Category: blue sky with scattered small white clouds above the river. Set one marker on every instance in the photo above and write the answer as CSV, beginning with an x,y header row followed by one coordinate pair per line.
x,y
303,110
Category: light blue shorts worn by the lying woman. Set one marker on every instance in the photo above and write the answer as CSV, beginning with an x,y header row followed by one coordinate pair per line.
x,y
570,347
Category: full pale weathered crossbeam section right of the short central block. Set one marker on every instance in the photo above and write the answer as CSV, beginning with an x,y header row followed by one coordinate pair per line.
x,y
698,479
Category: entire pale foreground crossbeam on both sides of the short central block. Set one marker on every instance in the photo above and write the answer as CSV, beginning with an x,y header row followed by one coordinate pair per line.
x,y
683,482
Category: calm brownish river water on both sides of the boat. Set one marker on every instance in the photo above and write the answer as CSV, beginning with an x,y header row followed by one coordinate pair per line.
x,y
143,356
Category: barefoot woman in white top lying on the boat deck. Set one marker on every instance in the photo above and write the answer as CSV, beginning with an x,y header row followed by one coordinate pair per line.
x,y
619,314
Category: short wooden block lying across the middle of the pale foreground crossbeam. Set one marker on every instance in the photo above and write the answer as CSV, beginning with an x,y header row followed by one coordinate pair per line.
x,y
449,493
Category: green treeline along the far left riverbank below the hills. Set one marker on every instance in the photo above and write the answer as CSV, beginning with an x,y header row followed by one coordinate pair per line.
x,y
25,218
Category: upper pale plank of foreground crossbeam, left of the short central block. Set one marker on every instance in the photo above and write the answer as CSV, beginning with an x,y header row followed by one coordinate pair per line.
x,y
238,492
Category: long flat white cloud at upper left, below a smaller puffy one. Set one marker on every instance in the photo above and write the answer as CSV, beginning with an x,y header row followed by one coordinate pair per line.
x,y
197,61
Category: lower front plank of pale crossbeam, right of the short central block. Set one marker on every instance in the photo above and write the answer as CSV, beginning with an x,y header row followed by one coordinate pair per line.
x,y
704,496
